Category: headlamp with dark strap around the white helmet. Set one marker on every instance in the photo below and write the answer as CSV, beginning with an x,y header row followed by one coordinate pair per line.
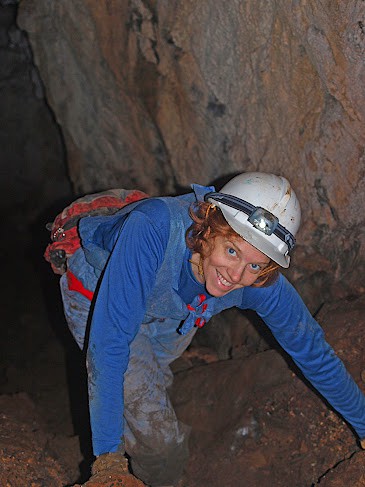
x,y
263,220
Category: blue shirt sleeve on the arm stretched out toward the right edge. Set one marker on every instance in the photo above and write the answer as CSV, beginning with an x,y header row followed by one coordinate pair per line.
x,y
282,309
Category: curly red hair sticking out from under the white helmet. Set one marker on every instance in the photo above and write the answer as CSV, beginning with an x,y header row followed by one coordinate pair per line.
x,y
209,223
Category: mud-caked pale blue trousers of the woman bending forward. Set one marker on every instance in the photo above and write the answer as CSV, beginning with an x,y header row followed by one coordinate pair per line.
x,y
155,440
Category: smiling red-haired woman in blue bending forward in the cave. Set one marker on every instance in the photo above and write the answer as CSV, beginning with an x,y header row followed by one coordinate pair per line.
x,y
162,267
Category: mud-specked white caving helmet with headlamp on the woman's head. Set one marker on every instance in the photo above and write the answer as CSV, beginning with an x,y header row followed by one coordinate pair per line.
x,y
264,210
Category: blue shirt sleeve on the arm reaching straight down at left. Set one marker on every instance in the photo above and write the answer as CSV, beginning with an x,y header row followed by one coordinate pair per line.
x,y
120,306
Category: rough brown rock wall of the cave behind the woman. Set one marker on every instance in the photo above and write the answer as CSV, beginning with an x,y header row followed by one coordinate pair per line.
x,y
157,94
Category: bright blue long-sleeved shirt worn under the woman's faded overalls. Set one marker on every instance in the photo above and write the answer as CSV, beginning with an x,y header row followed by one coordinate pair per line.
x,y
138,245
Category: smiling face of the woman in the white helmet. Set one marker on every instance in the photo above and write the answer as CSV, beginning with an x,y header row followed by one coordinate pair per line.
x,y
232,264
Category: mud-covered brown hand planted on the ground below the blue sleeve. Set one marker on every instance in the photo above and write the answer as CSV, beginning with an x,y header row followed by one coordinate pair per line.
x,y
111,470
